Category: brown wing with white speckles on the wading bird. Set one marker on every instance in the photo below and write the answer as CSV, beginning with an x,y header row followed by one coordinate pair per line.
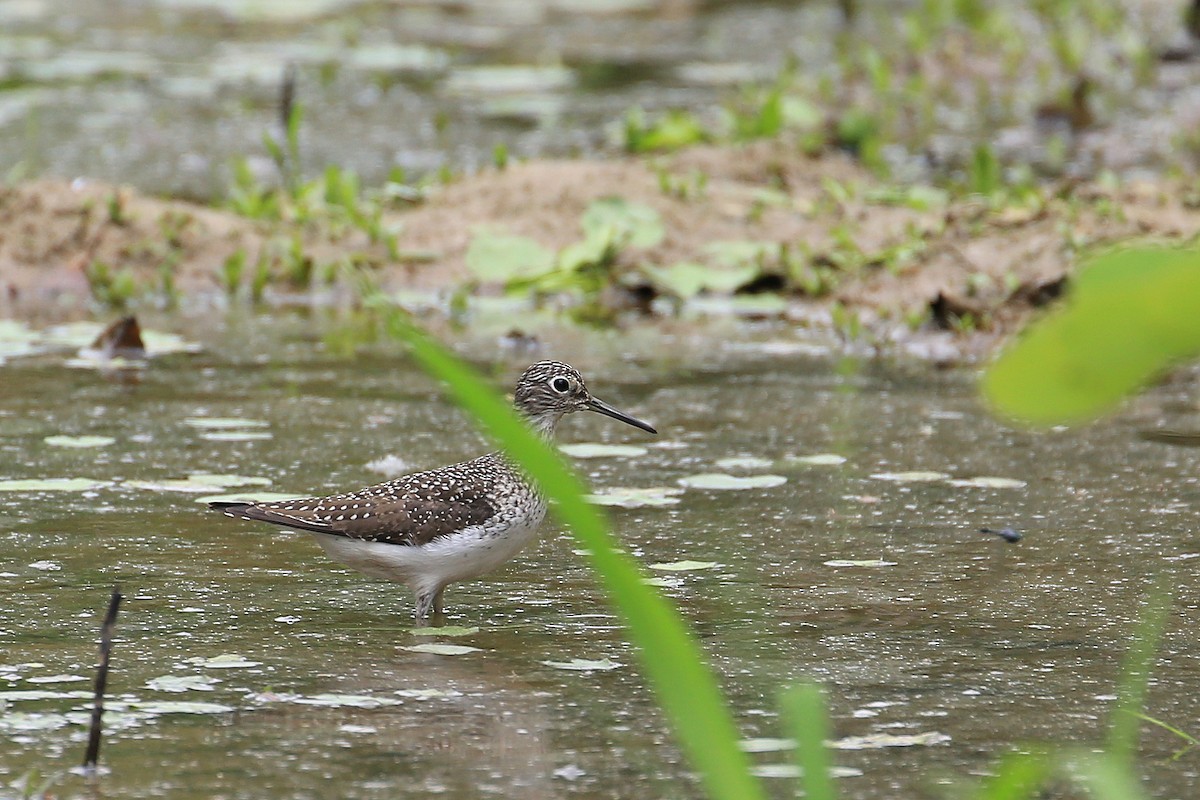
x,y
412,510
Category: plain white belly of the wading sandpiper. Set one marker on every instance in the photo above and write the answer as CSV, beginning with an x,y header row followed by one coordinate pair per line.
x,y
458,557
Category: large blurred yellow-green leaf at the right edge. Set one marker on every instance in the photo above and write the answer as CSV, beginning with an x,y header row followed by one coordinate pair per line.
x,y
1131,315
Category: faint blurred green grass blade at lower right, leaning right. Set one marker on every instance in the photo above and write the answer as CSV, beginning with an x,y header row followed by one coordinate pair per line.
x,y
1125,724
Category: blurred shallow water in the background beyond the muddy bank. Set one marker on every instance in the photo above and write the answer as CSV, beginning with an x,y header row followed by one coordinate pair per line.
x,y
166,95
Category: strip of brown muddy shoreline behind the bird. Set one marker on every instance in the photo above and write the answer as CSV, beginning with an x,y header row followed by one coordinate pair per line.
x,y
993,264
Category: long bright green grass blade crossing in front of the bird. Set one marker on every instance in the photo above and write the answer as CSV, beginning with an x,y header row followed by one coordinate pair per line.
x,y
685,685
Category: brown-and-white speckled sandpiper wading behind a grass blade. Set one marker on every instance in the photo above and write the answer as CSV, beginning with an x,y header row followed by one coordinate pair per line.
x,y
434,528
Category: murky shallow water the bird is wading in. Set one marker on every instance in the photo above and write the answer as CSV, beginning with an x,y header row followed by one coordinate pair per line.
x,y
944,630
